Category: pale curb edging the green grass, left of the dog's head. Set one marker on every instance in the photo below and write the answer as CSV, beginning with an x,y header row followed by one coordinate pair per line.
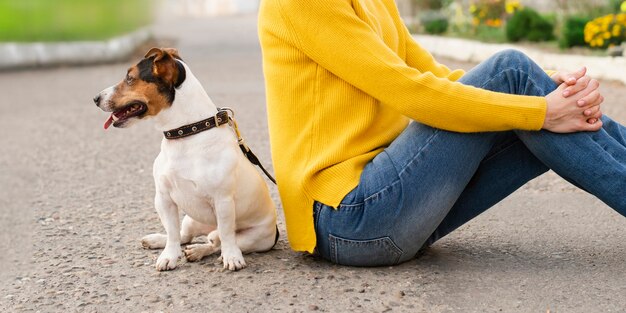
x,y
38,54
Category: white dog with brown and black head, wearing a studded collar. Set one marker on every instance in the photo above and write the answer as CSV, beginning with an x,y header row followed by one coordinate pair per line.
x,y
204,175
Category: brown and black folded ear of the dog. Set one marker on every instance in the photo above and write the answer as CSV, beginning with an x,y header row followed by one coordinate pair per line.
x,y
165,65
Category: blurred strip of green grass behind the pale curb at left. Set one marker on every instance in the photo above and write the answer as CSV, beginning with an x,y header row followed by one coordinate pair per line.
x,y
71,20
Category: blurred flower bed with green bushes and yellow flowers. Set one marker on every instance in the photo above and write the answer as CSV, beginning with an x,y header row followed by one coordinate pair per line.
x,y
589,26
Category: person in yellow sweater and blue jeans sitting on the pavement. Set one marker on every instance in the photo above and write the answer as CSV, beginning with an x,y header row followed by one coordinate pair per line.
x,y
379,150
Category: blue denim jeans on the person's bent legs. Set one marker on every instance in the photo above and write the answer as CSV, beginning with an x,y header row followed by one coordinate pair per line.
x,y
429,182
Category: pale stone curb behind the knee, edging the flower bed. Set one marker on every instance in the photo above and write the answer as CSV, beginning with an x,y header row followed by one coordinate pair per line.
x,y
609,68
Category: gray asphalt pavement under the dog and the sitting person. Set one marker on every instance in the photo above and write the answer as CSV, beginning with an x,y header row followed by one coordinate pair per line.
x,y
75,200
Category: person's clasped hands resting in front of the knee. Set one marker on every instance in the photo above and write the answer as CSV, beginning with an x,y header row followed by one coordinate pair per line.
x,y
578,111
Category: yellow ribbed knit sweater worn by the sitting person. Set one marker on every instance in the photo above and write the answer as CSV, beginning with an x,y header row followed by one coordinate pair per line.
x,y
343,78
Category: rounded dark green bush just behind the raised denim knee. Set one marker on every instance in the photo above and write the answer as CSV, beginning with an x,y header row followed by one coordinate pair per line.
x,y
528,24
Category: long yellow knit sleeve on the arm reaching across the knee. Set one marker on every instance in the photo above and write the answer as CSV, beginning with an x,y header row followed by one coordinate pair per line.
x,y
331,34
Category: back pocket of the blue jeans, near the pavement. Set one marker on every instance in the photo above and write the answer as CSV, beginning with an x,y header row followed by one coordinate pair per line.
x,y
373,252
